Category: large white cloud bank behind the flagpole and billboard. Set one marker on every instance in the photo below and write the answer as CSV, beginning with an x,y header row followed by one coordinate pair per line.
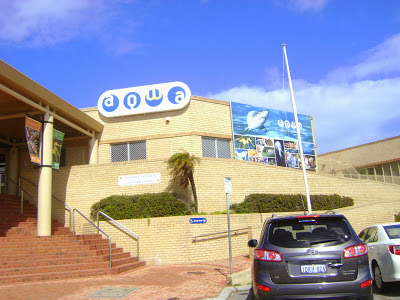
x,y
346,113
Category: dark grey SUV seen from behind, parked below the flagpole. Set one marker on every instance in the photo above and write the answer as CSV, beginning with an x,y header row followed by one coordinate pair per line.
x,y
310,257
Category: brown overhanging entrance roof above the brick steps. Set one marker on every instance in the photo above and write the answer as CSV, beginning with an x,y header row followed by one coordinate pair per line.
x,y
20,95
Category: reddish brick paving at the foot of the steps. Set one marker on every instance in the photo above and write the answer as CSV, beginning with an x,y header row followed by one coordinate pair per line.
x,y
206,280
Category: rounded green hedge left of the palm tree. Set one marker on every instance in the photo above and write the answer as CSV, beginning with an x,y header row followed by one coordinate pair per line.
x,y
139,206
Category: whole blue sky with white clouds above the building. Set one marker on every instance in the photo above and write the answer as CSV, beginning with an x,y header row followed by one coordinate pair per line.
x,y
344,56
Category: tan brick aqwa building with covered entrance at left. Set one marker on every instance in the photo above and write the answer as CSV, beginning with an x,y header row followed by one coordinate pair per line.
x,y
126,154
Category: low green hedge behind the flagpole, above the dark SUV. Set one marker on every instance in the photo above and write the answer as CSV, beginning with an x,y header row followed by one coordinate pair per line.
x,y
265,203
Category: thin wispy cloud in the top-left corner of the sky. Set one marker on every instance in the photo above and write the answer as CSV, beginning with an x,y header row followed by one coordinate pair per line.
x,y
39,23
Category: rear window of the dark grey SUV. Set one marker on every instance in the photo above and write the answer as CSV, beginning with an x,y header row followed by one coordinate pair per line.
x,y
304,232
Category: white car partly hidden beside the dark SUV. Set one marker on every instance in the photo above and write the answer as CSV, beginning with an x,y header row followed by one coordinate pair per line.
x,y
383,242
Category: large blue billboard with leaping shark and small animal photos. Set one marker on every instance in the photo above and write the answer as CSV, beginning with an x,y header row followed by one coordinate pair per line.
x,y
269,136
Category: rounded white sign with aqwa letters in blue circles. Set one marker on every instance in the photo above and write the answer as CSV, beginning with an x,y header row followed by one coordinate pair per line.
x,y
144,99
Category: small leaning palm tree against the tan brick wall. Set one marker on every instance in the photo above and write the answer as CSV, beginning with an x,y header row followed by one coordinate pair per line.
x,y
182,168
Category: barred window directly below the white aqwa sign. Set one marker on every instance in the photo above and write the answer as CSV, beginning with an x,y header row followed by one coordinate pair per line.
x,y
128,151
